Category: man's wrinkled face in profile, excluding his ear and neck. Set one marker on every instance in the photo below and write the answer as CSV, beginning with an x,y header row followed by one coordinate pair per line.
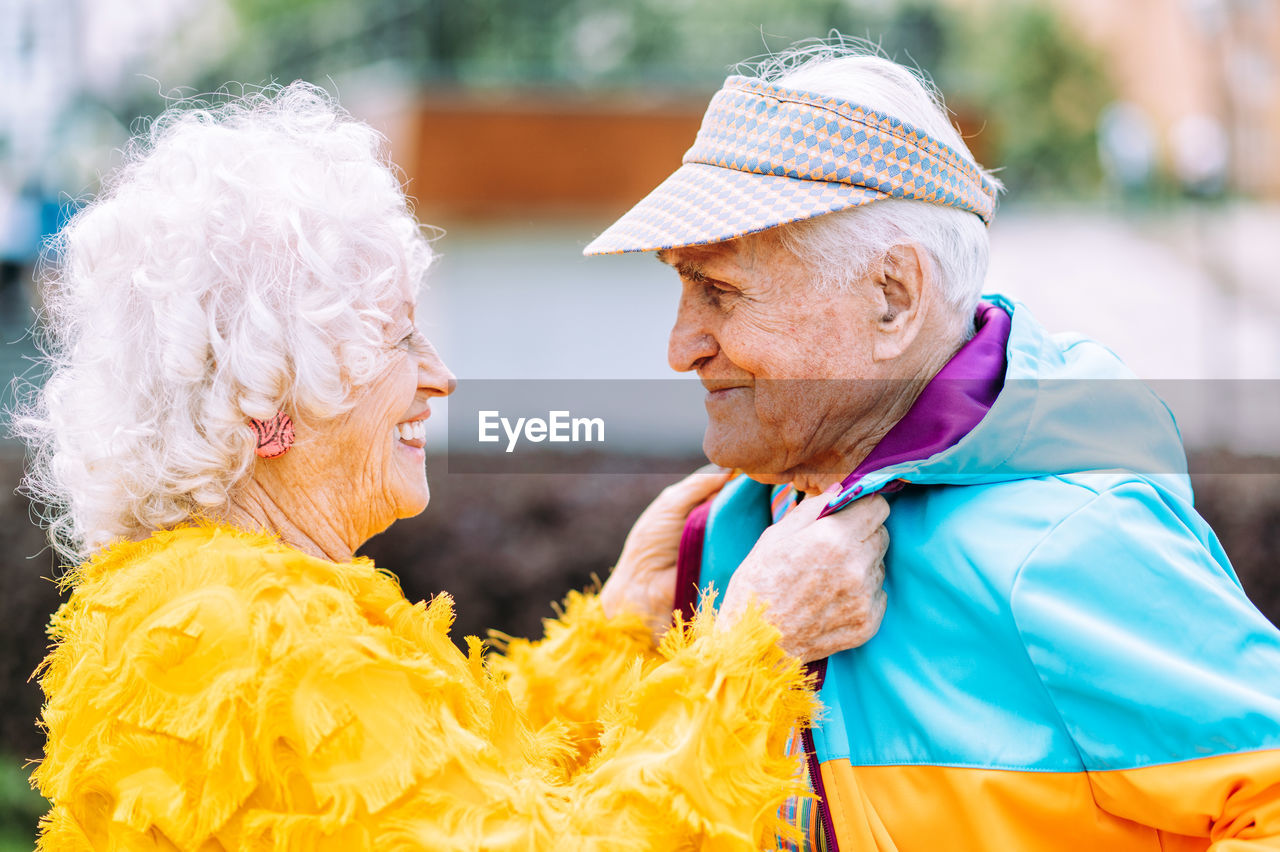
x,y
784,365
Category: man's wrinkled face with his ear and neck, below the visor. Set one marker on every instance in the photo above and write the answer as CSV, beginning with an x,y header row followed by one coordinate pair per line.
x,y
803,383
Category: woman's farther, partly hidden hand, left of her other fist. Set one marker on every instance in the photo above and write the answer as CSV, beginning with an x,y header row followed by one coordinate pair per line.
x,y
644,580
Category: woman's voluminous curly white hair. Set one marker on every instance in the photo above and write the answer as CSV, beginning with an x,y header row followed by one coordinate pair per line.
x,y
243,262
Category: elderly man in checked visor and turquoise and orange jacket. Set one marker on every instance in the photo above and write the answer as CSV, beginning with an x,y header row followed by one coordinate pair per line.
x,y
1067,661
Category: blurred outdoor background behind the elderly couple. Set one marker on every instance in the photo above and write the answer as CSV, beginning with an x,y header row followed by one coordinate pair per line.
x,y
1137,141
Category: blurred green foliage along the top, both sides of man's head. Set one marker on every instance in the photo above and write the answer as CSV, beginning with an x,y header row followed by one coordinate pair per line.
x,y
1023,81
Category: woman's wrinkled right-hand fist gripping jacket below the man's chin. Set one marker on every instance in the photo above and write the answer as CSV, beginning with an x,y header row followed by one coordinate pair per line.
x,y
821,581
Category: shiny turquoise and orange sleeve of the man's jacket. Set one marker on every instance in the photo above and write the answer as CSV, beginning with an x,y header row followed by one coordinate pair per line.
x,y
1164,674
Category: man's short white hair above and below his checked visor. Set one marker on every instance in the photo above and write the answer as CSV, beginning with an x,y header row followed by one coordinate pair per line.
x,y
840,249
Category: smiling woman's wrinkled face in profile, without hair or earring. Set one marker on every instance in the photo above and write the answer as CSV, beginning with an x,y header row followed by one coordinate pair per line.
x,y
376,452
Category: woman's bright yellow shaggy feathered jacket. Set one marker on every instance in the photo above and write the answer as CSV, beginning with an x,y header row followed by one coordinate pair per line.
x,y
217,690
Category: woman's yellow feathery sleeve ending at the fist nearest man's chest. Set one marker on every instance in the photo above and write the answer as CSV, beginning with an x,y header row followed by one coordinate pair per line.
x,y
692,754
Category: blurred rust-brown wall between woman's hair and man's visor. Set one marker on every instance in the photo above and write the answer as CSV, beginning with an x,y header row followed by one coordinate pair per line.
x,y
540,154
